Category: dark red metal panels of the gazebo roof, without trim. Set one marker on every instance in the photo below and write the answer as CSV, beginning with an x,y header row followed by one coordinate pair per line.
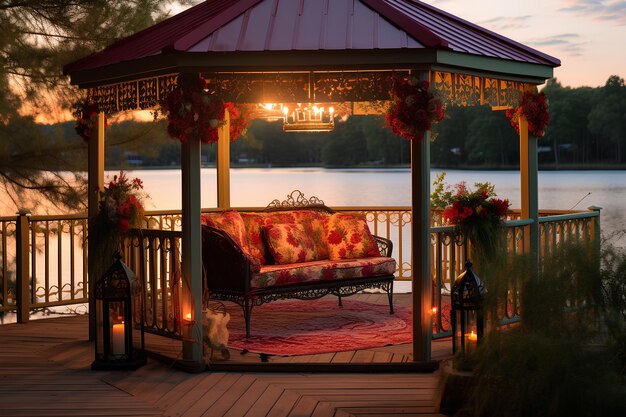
x,y
303,25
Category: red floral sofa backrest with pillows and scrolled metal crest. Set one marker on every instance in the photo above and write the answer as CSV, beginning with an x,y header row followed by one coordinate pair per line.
x,y
296,230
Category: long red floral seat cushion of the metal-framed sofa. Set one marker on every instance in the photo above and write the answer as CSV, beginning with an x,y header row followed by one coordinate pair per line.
x,y
272,275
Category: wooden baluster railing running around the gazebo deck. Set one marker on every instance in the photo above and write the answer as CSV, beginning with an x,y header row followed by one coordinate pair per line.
x,y
43,263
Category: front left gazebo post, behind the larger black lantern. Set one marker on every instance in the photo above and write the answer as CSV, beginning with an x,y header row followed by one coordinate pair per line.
x,y
192,251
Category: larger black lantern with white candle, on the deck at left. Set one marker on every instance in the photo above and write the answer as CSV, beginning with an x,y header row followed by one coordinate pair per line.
x,y
119,319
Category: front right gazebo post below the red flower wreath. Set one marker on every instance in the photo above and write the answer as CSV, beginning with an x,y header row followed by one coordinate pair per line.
x,y
420,248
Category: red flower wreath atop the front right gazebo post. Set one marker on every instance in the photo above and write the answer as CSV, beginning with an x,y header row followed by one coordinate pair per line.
x,y
414,108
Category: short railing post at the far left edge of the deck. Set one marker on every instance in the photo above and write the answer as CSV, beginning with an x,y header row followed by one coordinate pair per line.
x,y
22,262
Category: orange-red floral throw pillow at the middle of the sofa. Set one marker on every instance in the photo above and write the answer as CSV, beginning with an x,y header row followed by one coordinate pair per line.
x,y
289,243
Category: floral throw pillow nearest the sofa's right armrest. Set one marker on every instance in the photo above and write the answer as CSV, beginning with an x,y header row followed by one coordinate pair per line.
x,y
349,237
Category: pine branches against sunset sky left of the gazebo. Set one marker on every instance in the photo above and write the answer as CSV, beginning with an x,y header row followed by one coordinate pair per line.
x,y
37,38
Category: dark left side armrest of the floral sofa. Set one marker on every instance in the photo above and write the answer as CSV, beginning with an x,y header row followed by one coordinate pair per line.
x,y
225,265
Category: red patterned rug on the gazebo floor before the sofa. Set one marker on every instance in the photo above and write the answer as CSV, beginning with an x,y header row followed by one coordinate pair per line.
x,y
296,327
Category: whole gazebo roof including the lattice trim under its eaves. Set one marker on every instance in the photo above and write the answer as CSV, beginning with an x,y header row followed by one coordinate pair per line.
x,y
311,50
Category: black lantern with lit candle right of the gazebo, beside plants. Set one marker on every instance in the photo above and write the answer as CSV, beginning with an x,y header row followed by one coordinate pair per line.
x,y
467,315
